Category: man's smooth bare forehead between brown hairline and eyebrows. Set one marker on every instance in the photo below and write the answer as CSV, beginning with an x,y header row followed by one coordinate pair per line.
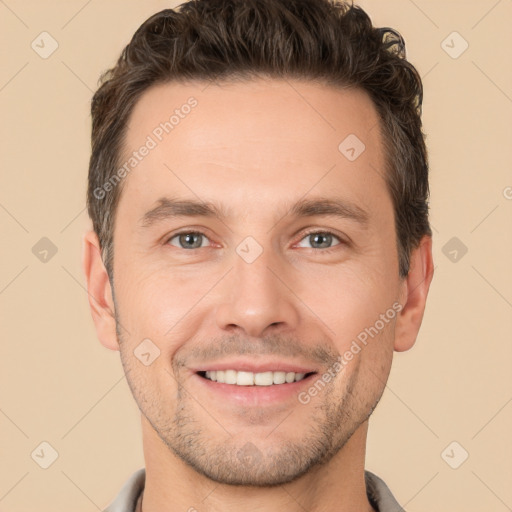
x,y
247,140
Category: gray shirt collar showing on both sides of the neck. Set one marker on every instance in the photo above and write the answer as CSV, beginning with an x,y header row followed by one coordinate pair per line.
x,y
129,499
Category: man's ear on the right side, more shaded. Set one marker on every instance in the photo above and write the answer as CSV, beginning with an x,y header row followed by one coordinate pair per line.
x,y
413,295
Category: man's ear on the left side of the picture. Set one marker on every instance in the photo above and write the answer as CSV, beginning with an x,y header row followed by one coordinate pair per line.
x,y
99,291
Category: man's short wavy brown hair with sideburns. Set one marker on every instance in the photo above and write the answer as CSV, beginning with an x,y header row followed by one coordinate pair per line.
x,y
319,40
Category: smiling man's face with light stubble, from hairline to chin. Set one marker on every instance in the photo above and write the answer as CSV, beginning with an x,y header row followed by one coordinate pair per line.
x,y
254,289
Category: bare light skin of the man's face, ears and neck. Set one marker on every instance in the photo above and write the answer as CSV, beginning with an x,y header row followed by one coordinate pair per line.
x,y
255,148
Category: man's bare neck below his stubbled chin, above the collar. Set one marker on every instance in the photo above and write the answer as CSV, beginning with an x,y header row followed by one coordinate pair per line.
x,y
338,485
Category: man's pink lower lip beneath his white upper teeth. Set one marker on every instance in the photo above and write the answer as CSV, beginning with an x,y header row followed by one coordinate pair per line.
x,y
255,395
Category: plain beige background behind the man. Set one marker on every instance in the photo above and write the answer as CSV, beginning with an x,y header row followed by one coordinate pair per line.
x,y
59,385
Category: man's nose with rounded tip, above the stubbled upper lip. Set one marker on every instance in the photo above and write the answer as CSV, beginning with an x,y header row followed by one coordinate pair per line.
x,y
257,299
